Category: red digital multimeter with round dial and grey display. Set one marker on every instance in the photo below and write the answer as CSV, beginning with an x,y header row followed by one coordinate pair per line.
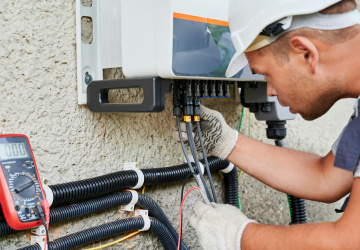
x,y
20,186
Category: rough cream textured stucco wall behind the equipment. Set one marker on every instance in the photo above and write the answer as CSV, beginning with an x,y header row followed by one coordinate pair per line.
x,y
38,97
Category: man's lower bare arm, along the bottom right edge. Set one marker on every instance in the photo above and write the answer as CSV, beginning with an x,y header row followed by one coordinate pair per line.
x,y
342,234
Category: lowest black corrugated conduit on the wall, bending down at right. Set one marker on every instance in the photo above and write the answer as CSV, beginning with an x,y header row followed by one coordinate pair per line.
x,y
107,230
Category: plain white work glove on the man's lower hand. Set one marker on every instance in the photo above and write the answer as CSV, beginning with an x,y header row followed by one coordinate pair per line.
x,y
219,226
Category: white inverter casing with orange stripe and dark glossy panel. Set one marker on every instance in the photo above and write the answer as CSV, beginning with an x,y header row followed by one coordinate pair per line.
x,y
175,39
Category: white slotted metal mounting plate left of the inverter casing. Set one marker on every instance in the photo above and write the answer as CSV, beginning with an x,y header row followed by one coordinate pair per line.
x,y
105,49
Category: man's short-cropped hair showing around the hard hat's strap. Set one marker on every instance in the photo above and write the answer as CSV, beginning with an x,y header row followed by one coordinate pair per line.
x,y
281,46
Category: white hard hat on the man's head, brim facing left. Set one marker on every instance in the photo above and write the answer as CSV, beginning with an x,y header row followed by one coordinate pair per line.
x,y
248,18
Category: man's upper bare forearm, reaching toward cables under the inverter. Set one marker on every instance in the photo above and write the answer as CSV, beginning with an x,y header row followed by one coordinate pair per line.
x,y
294,172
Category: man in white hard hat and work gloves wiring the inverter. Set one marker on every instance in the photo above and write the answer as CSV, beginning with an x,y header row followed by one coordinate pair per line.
x,y
309,53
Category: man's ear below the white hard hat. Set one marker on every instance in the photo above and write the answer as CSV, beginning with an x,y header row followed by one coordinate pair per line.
x,y
306,51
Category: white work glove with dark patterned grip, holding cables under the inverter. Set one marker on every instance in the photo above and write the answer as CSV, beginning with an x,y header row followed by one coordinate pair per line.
x,y
218,137
